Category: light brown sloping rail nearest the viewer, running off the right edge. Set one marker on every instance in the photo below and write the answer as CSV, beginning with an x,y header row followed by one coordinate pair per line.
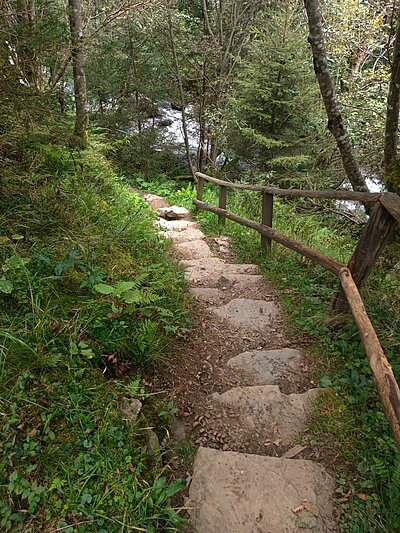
x,y
385,381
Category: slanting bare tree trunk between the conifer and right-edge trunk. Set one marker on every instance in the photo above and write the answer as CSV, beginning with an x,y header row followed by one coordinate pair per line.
x,y
335,120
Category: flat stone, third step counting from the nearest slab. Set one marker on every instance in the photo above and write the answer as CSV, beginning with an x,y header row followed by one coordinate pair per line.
x,y
265,367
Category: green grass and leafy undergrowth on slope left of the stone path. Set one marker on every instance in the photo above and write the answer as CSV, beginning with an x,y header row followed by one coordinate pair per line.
x,y
89,299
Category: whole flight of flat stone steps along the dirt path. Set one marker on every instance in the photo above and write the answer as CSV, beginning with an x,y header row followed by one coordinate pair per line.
x,y
237,492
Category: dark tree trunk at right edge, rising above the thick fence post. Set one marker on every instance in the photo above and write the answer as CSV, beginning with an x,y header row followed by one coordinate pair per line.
x,y
391,163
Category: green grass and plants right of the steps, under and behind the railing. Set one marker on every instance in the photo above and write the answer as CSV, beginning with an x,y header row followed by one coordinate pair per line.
x,y
349,425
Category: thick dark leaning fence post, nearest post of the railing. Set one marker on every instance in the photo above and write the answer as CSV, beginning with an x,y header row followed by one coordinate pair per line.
x,y
372,241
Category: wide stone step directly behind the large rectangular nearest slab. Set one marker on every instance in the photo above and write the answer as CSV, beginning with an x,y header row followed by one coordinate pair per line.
x,y
264,408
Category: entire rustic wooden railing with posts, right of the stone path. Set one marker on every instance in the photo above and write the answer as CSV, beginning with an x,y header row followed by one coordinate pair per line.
x,y
384,218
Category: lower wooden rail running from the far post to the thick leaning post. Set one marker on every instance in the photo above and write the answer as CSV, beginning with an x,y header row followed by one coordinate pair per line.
x,y
315,256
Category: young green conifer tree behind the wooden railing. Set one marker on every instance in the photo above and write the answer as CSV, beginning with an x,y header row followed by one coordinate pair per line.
x,y
273,93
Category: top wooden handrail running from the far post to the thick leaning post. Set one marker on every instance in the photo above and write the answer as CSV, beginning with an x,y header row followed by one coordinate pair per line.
x,y
297,193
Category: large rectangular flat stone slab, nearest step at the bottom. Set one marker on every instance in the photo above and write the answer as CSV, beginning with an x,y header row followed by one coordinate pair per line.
x,y
242,493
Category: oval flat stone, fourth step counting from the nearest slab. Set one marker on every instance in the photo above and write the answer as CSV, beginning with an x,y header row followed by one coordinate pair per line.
x,y
243,312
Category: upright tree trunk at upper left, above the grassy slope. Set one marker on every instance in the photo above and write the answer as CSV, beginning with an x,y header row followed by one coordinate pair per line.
x,y
78,61
